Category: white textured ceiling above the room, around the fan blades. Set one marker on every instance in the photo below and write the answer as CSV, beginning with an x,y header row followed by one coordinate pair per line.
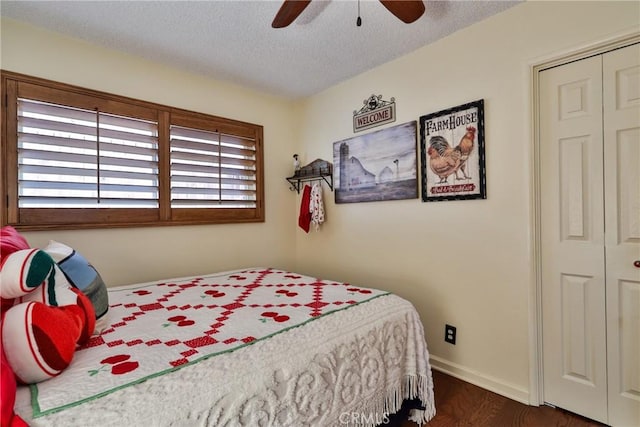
x,y
234,41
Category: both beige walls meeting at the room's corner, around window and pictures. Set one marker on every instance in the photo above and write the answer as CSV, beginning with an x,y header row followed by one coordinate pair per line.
x,y
461,262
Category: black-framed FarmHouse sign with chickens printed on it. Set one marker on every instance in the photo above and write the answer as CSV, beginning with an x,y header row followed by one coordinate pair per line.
x,y
452,153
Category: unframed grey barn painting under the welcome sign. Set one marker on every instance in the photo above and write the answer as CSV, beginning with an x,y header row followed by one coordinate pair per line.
x,y
377,166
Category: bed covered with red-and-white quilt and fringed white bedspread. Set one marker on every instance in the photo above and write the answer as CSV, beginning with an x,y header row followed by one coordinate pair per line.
x,y
251,347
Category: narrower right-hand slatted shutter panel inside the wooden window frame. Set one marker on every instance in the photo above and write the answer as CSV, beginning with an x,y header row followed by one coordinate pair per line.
x,y
212,169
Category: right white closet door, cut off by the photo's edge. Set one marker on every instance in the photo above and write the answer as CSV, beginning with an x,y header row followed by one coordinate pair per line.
x,y
621,106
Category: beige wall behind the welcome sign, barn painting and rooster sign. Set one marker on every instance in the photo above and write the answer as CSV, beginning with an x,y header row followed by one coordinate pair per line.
x,y
467,263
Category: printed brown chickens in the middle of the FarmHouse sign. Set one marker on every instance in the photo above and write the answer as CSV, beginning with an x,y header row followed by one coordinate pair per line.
x,y
445,160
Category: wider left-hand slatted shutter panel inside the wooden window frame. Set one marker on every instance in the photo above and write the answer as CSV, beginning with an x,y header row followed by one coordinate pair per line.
x,y
78,158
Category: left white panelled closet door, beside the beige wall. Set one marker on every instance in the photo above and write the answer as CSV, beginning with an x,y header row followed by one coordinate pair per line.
x,y
572,238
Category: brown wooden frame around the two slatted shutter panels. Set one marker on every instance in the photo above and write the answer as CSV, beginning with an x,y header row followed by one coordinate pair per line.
x,y
15,85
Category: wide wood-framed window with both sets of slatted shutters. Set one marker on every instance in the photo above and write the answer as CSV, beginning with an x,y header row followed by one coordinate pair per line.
x,y
75,158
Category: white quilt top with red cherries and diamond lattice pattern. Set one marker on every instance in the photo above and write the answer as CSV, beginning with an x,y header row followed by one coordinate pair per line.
x,y
159,327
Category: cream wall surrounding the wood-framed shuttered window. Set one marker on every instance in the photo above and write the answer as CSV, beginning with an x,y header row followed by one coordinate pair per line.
x,y
142,254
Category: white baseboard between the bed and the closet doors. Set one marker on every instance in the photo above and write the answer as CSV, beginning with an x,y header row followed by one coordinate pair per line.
x,y
476,378
